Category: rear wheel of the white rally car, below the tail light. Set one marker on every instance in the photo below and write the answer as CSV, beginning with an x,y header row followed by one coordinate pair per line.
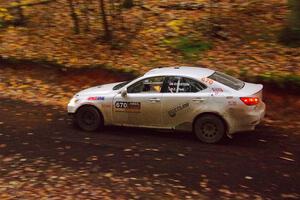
x,y
209,128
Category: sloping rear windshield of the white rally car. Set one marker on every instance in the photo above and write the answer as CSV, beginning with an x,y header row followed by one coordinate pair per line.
x,y
227,80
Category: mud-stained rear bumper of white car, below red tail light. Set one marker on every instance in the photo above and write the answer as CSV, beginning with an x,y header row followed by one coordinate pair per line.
x,y
246,121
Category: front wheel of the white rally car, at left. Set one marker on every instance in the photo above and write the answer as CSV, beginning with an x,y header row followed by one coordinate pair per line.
x,y
88,118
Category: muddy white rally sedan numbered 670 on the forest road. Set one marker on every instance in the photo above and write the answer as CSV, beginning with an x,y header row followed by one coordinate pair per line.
x,y
210,103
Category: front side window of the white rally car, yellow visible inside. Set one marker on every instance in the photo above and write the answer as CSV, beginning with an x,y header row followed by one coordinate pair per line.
x,y
149,85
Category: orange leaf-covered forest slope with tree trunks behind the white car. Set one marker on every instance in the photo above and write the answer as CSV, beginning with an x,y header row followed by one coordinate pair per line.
x,y
238,37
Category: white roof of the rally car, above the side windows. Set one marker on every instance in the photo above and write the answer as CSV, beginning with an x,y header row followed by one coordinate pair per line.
x,y
193,72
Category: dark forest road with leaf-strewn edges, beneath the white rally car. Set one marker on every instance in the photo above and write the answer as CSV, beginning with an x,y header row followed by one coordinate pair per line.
x,y
43,155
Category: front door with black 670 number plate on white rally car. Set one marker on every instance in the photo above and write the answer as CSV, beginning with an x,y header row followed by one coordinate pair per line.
x,y
142,104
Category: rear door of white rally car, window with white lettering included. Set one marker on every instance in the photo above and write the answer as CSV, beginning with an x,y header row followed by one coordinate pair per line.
x,y
182,100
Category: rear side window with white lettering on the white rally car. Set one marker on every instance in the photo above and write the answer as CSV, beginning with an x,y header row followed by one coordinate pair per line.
x,y
183,85
